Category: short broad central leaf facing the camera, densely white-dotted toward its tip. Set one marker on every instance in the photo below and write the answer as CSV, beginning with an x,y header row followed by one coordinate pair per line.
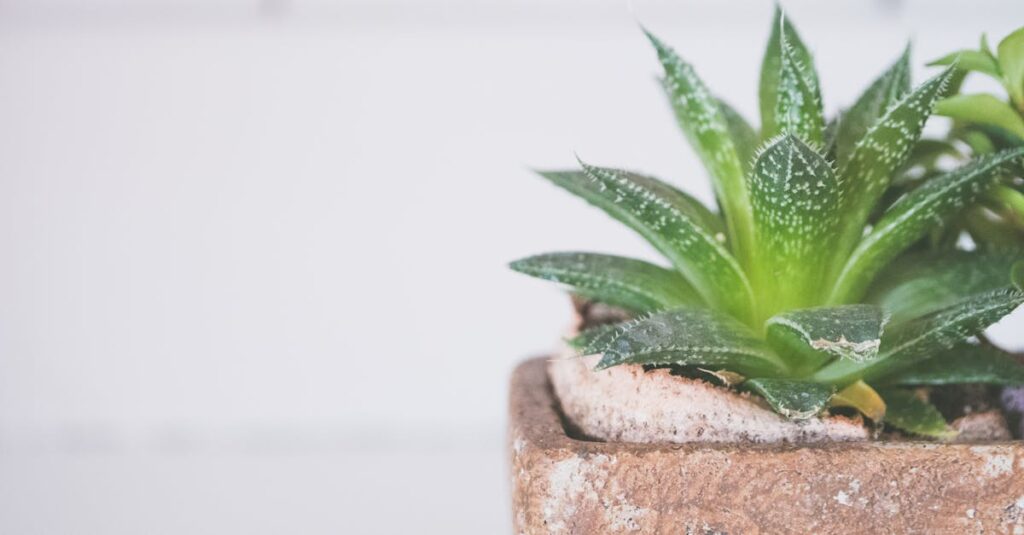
x,y
795,197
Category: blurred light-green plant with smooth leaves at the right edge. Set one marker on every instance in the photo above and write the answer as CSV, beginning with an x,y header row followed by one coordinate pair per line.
x,y
984,124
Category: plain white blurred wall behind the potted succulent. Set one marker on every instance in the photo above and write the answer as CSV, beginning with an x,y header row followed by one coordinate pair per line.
x,y
253,253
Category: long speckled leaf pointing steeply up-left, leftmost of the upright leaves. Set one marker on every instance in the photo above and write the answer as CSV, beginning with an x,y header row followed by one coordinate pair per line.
x,y
707,129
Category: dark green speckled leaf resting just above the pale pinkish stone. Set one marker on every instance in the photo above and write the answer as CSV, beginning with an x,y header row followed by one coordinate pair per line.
x,y
690,337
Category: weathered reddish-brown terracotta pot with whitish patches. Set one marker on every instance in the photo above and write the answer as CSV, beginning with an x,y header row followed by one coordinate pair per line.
x,y
563,484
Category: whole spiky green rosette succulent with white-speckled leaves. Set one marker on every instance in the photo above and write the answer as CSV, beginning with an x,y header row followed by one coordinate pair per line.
x,y
808,282
